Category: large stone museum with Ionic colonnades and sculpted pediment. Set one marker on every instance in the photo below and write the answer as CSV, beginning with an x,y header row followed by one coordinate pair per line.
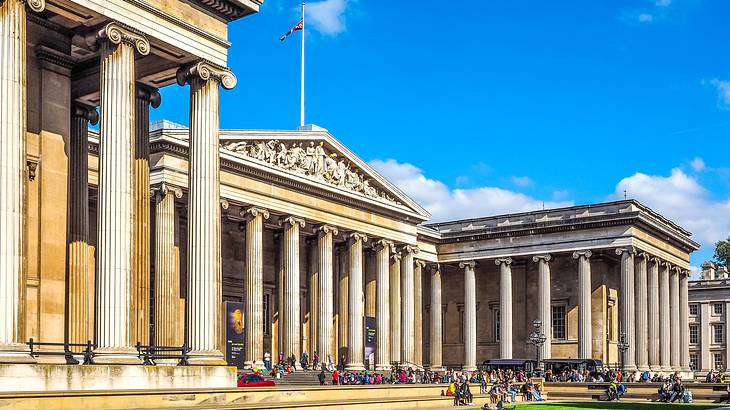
x,y
147,235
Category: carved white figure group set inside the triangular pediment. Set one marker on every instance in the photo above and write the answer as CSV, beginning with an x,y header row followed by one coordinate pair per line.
x,y
311,159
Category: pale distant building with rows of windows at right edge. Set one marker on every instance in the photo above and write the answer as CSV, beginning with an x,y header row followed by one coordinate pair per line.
x,y
709,316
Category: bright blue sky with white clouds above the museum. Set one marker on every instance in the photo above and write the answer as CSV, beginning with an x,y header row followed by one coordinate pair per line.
x,y
477,107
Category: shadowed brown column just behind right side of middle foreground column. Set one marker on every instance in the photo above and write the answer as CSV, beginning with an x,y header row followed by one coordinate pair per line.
x,y
144,97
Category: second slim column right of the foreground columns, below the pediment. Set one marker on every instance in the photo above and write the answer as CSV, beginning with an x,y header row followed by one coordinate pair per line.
x,y
291,342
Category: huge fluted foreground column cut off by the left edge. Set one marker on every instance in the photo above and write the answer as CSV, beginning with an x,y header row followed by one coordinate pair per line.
x,y
13,127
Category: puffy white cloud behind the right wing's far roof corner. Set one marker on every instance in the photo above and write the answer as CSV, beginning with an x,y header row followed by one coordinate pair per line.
x,y
683,200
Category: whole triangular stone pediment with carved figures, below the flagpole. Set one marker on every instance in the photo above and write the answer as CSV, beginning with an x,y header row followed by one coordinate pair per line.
x,y
316,157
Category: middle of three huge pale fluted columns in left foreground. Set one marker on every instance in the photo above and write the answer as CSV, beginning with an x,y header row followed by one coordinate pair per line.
x,y
115,253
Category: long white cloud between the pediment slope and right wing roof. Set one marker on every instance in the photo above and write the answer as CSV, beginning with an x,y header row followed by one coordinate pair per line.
x,y
450,204
